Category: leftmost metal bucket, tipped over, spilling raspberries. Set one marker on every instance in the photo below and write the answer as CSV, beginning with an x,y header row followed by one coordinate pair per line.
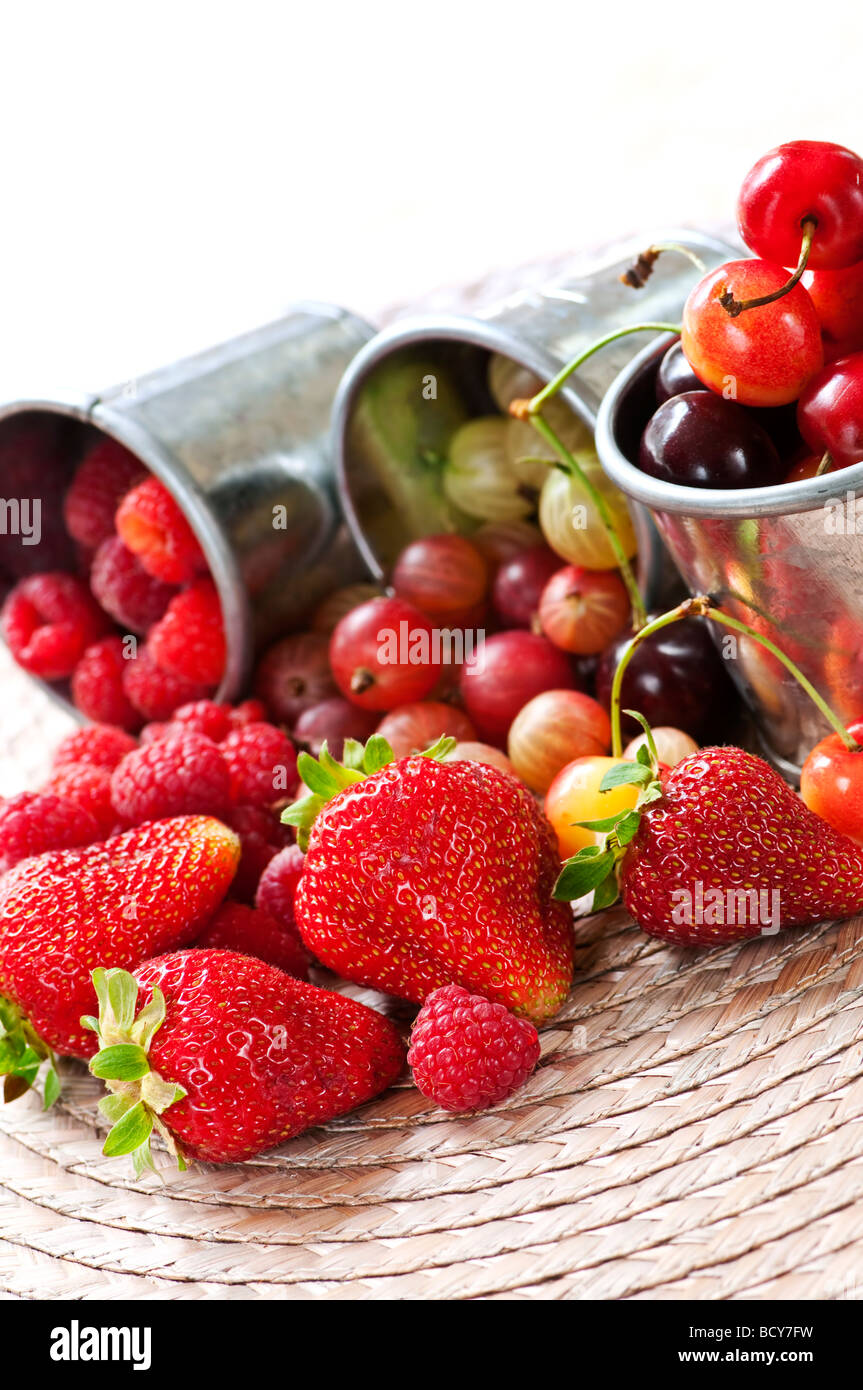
x,y
234,433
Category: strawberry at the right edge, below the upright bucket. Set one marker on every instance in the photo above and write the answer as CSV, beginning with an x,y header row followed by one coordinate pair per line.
x,y
719,850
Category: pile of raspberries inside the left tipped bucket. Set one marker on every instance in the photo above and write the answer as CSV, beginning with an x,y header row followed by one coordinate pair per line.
x,y
137,630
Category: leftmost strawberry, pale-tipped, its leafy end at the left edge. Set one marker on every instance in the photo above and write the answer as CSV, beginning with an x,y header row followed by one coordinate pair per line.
x,y
120,901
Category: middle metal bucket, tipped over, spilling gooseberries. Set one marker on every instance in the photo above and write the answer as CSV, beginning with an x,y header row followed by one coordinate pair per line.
x,y
541,330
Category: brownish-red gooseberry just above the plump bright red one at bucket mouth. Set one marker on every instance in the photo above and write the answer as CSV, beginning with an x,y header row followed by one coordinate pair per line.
x,y
445,576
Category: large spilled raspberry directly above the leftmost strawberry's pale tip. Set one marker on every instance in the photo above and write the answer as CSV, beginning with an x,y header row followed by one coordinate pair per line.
x,y
181,776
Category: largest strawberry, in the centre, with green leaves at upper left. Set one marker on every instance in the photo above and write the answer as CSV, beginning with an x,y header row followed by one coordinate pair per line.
x,y
427,874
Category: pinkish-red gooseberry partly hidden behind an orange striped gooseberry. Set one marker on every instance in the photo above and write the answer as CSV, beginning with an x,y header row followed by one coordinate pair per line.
x,y
511,669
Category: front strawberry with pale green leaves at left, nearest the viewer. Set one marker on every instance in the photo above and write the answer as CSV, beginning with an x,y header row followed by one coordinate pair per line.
x,y
230,1057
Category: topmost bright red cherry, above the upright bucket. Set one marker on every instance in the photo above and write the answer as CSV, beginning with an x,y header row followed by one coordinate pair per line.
x,y
797,183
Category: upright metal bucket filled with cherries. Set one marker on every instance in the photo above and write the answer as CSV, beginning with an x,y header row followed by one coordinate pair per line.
x,y
787,559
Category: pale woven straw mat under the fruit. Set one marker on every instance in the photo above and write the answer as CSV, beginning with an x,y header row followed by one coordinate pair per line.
x,y
694,1131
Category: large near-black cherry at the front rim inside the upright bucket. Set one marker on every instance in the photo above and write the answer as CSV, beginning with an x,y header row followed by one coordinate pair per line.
x,y
702,441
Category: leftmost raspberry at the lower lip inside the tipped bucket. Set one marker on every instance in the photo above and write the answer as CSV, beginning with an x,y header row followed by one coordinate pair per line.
x,y
49,621
